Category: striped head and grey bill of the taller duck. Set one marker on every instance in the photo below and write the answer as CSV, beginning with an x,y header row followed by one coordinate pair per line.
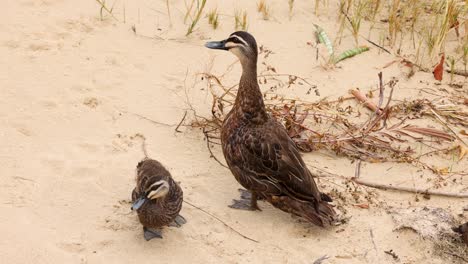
x,y
240,43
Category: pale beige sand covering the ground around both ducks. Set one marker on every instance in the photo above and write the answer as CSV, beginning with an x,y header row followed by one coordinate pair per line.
x,y
75,90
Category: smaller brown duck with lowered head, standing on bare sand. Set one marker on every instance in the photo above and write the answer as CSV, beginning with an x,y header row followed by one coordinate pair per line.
x,y
157,198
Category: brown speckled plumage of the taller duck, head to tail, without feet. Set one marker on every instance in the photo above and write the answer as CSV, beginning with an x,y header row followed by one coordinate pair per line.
x,y
259,152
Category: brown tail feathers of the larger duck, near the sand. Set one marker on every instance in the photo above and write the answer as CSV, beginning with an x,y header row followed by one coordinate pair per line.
x,y
320,213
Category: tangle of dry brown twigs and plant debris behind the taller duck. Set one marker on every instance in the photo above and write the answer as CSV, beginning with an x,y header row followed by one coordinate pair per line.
x,y
387,134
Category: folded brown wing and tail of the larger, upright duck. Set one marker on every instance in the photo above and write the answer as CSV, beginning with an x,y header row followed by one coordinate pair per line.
x,y
268,155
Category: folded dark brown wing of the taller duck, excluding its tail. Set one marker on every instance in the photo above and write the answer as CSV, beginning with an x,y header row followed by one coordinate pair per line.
x,y
271,155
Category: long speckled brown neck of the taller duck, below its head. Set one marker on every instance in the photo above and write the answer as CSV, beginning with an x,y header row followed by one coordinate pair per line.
x,y
249,101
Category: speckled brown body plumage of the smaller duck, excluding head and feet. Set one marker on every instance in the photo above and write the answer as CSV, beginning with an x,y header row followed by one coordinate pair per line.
x,y
162,211
